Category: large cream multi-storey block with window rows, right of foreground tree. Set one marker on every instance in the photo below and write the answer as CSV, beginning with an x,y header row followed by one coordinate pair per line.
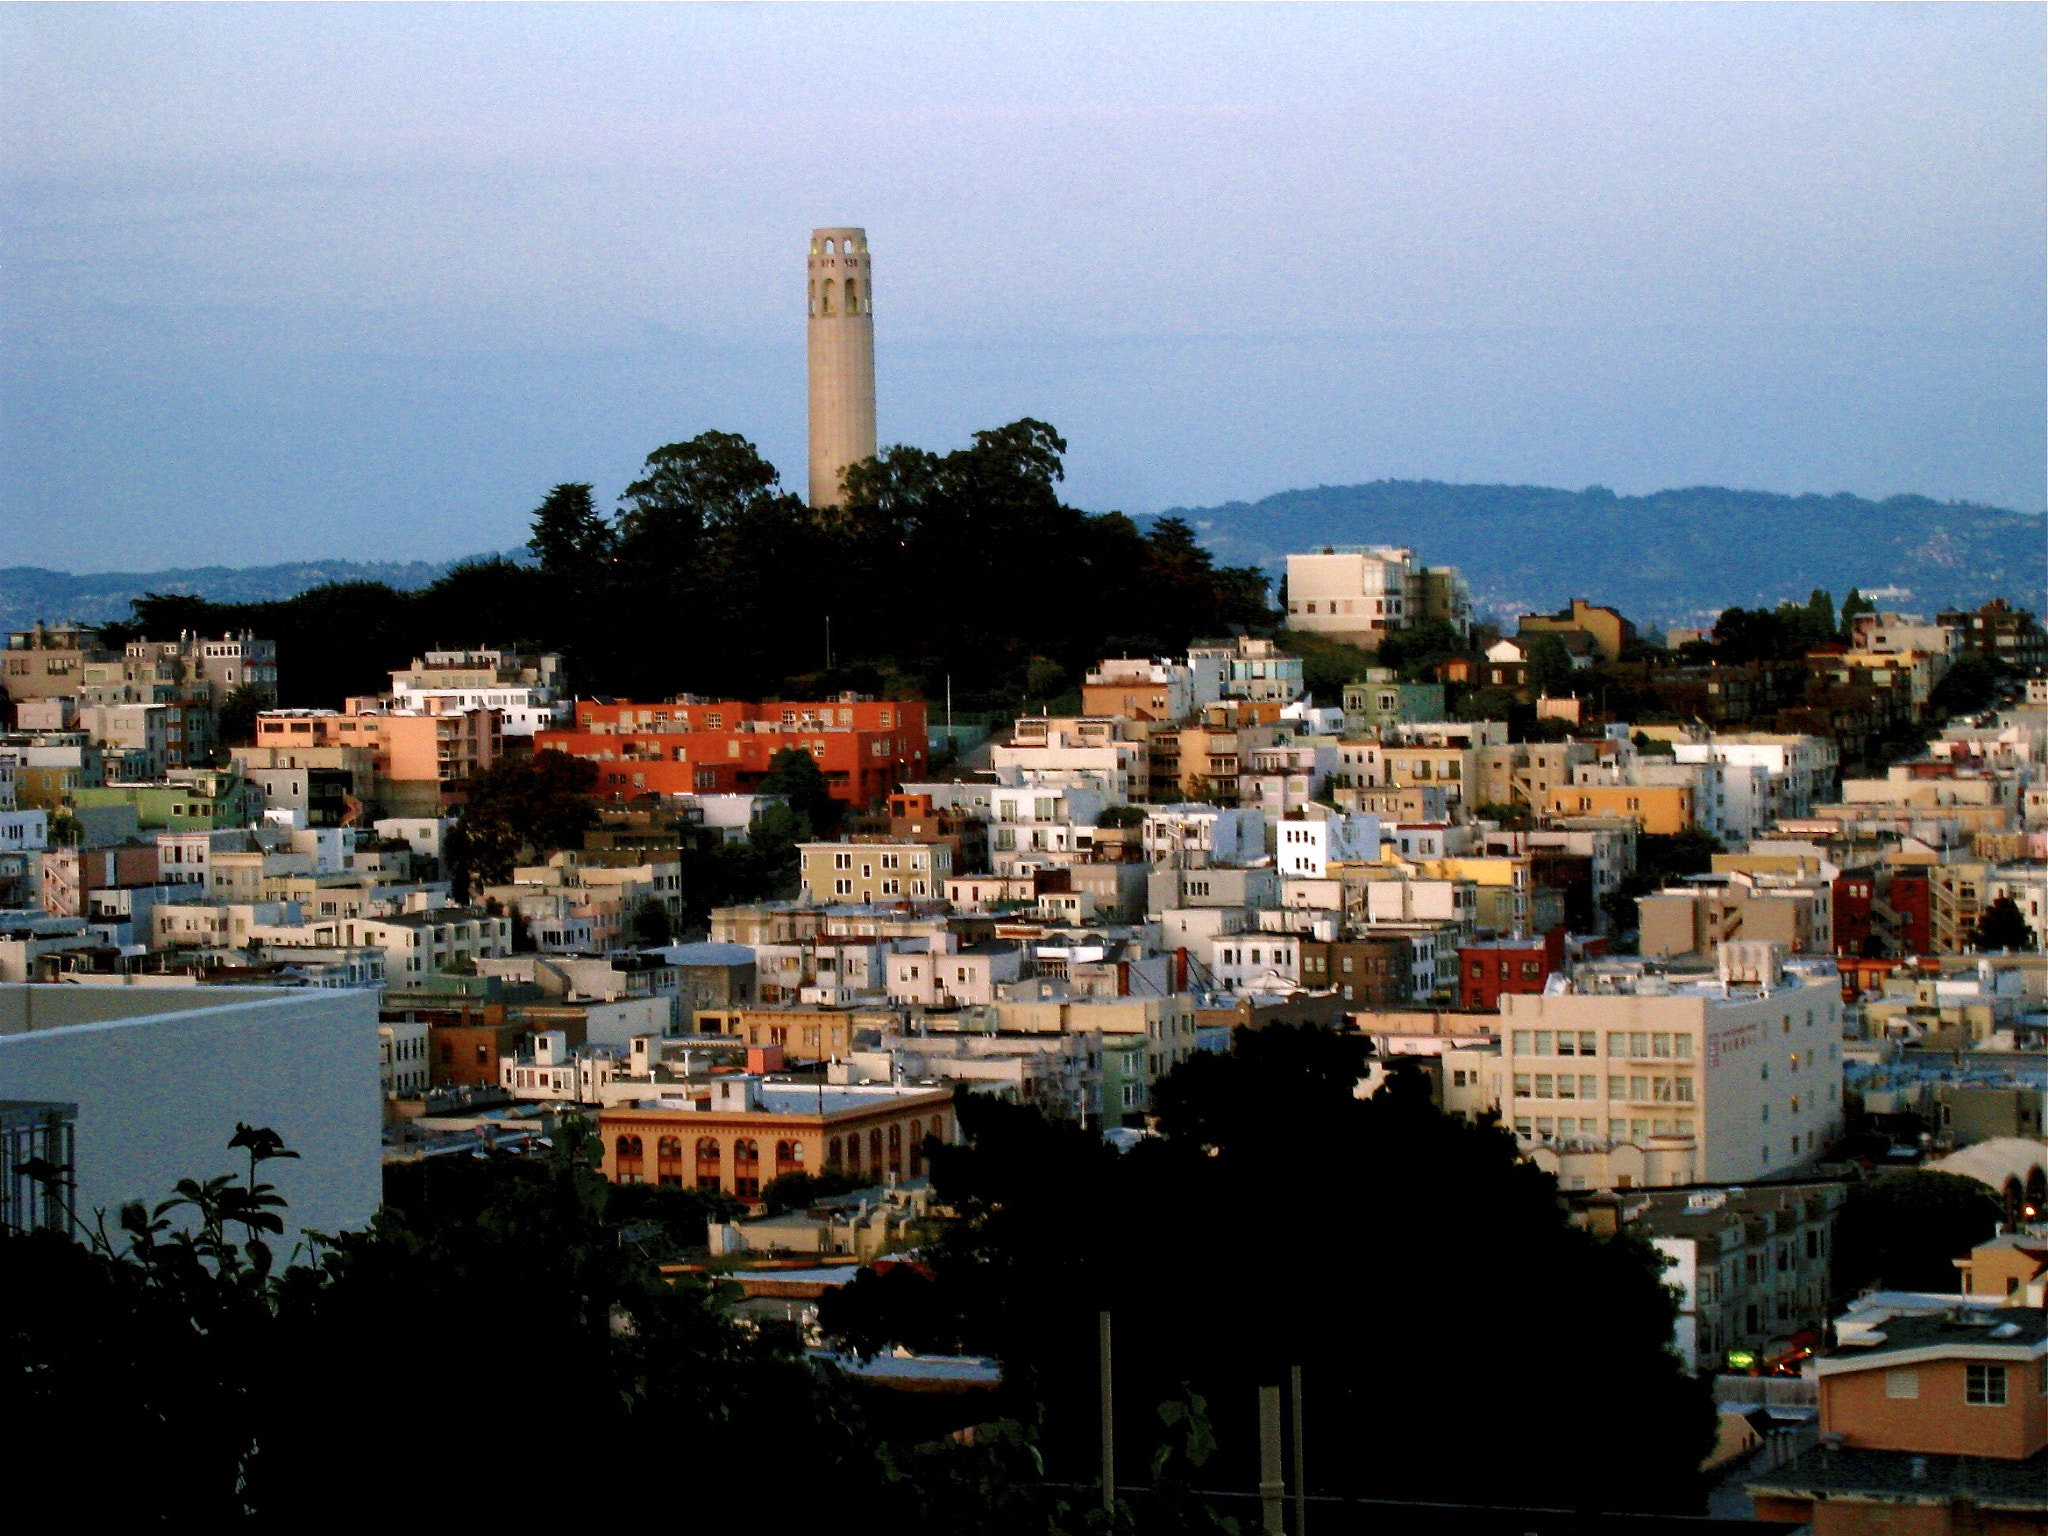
x,y
1635,1078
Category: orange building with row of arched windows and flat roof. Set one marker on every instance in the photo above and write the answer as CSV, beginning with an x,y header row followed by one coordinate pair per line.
x,y
738,1134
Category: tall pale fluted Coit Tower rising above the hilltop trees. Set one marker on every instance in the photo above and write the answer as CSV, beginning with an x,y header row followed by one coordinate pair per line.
x,y
843,359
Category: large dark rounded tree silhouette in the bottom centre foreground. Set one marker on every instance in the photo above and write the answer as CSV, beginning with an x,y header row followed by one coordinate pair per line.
x,y
1285,1222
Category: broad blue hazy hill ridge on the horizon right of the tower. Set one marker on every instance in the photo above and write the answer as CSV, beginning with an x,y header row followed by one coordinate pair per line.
x,y
1666,558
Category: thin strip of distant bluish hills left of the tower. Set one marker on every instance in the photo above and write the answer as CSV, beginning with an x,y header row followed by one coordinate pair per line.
x,y
30,593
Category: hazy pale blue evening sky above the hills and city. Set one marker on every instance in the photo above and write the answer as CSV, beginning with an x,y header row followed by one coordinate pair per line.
x,y
298,282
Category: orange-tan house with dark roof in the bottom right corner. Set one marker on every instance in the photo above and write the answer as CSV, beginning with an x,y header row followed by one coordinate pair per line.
x,y
1930,1426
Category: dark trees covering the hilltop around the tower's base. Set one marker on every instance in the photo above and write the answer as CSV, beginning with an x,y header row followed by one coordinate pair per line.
x,y
712,579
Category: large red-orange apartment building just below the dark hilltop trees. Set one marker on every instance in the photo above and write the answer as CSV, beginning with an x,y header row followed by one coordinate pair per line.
x,y
863,746
